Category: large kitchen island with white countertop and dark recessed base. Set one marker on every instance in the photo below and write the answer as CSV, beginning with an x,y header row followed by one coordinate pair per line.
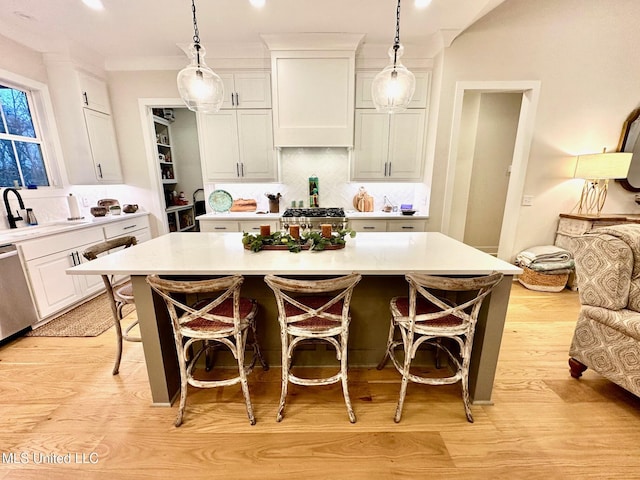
x,y
382,258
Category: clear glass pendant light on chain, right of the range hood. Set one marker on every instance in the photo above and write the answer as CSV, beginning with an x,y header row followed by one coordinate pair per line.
x,y
392,88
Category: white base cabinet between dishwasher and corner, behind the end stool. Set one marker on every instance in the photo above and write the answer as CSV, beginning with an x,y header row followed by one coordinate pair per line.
x,y
47,260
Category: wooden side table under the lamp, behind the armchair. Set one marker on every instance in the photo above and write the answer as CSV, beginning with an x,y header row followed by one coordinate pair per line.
x,y
572,225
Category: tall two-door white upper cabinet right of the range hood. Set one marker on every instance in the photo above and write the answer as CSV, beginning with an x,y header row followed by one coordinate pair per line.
x,y
388,146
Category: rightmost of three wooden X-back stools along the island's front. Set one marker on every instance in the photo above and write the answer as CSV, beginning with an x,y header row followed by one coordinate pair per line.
x,y
426,318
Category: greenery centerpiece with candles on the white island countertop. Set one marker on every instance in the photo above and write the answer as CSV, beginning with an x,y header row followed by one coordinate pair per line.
x,y
307,241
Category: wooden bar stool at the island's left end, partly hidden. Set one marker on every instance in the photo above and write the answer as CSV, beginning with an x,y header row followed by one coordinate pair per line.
x,y
119,292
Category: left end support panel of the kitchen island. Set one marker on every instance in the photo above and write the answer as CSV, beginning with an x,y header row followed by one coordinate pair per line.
x,y
158,343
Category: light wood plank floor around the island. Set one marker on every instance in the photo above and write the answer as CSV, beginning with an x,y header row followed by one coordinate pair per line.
x,y
58,397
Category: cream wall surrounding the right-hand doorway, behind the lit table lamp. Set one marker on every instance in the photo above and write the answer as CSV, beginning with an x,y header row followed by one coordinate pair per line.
x,y
583,53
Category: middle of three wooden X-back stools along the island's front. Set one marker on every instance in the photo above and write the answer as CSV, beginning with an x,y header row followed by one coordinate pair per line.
x,y
314,310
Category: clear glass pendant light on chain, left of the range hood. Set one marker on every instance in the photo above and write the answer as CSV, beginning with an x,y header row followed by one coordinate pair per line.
x,y
200,87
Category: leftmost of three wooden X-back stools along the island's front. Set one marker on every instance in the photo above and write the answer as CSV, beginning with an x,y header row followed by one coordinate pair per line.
x,y
222,318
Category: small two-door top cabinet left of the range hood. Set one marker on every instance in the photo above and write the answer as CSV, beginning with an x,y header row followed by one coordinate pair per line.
x,y
247,90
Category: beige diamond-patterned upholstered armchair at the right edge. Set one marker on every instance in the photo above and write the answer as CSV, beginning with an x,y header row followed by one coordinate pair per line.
x,y
607,335
